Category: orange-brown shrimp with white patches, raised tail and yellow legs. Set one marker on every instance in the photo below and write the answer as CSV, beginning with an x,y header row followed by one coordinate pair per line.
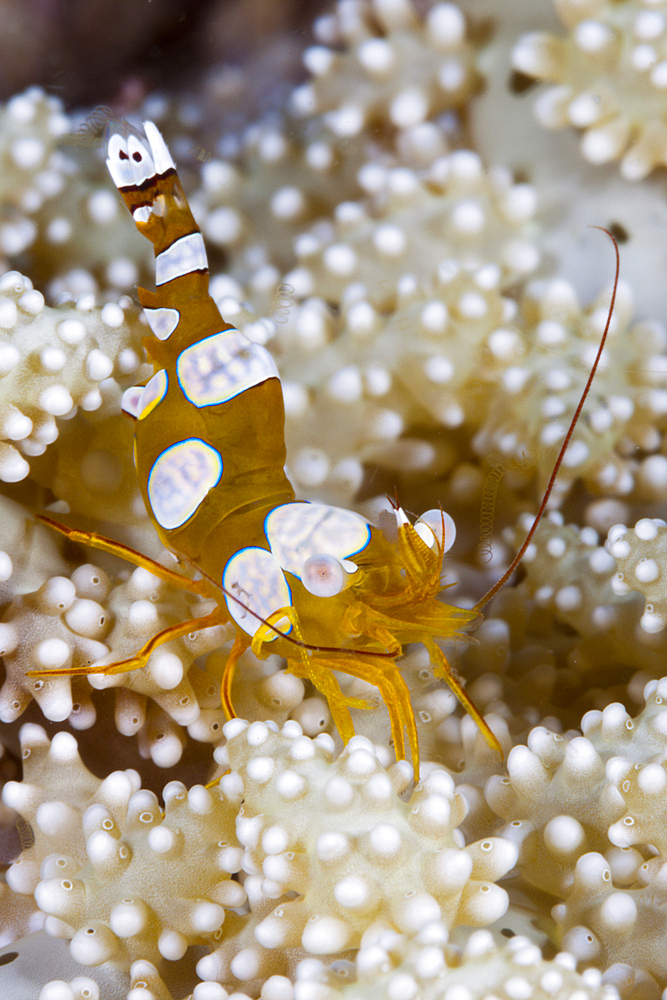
x,y
319,585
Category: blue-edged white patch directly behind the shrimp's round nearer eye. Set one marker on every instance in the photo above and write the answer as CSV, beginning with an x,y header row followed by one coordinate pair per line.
x,y
298,531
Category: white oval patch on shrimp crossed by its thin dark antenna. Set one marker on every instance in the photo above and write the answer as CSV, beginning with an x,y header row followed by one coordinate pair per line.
x,y
255,577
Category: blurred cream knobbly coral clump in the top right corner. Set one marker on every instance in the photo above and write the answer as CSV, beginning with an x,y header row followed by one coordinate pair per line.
x,y
607,77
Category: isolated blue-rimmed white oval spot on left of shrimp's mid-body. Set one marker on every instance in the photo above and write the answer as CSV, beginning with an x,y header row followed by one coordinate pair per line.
x,y
180,479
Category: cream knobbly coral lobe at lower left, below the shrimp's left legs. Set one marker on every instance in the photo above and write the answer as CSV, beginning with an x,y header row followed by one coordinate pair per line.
x,y
104,851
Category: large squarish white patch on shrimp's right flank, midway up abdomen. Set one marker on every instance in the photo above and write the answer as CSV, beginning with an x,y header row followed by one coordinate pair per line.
x,y
220,367
